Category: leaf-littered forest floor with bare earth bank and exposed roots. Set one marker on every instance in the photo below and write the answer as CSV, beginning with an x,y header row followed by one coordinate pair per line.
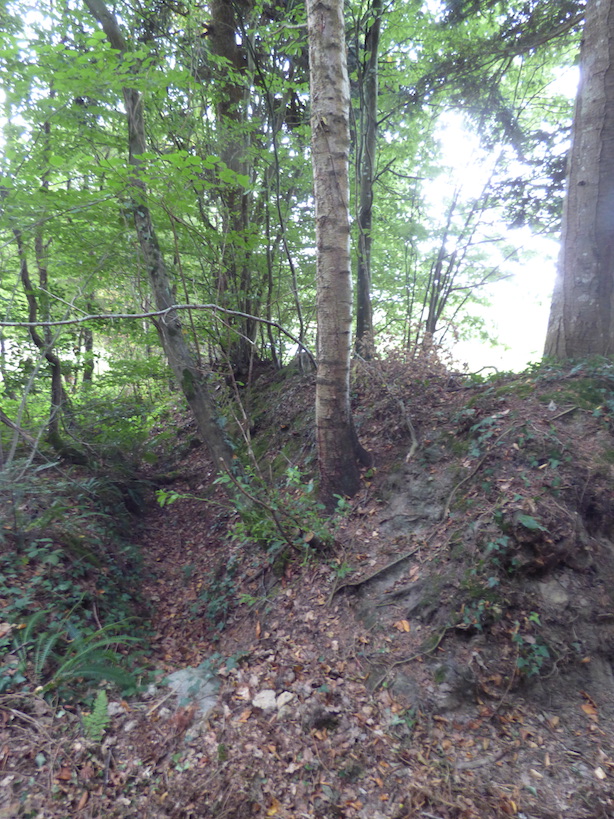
x,y
449,657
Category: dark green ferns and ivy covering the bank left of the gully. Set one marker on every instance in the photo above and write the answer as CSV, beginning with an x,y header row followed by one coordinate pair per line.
x,y
68,580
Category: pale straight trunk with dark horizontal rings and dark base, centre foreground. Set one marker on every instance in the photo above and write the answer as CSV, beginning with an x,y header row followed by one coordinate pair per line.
x,y
338,448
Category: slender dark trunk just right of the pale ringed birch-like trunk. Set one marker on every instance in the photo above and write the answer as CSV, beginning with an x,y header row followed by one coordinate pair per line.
x,y
368,146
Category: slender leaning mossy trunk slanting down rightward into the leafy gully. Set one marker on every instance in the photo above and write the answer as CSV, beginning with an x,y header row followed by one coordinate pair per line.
x,y
182,362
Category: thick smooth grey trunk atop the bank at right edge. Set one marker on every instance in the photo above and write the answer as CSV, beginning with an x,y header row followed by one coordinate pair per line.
x,y
582,312
